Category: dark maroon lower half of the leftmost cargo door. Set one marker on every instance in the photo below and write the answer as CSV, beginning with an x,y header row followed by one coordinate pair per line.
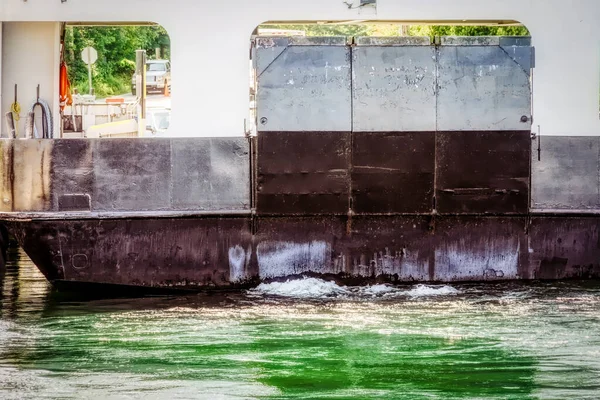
x,y
303,172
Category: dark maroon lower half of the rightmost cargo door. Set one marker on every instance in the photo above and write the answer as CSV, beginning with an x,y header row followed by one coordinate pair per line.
x,y
482,172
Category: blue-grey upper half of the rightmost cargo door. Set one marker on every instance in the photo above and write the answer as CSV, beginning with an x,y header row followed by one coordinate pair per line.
x,y
481,88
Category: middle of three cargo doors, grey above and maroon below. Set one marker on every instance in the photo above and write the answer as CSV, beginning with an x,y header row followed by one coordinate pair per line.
x,y
394,119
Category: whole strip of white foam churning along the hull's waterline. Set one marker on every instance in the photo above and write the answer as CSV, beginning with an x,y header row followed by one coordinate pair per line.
x,y
306,288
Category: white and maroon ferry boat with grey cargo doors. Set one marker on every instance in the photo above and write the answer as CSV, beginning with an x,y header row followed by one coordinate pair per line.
x,y
388,159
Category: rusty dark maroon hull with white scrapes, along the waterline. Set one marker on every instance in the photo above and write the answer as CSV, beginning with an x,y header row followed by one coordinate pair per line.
x,y
236,252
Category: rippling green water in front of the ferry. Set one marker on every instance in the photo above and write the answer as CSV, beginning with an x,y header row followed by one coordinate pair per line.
x,y
505,341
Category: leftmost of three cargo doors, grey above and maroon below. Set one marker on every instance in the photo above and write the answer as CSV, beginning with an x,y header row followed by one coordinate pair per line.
x,y
303,125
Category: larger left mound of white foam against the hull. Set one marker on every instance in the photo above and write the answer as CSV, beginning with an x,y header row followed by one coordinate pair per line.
x,y
301,288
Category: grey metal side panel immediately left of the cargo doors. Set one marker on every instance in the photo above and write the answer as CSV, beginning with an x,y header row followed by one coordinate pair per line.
x,y
210,173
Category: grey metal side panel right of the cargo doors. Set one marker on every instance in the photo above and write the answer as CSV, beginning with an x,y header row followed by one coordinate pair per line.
x,y
566,176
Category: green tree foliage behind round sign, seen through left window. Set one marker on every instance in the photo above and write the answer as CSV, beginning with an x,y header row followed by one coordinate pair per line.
x,y
116,46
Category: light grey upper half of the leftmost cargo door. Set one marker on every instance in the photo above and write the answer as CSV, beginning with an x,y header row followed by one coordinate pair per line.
x,y
306,88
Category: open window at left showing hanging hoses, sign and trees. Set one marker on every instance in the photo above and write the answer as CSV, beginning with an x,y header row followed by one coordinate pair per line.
x,y
85,80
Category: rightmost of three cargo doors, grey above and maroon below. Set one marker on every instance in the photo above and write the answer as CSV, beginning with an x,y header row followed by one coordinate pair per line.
x,y
483,125
